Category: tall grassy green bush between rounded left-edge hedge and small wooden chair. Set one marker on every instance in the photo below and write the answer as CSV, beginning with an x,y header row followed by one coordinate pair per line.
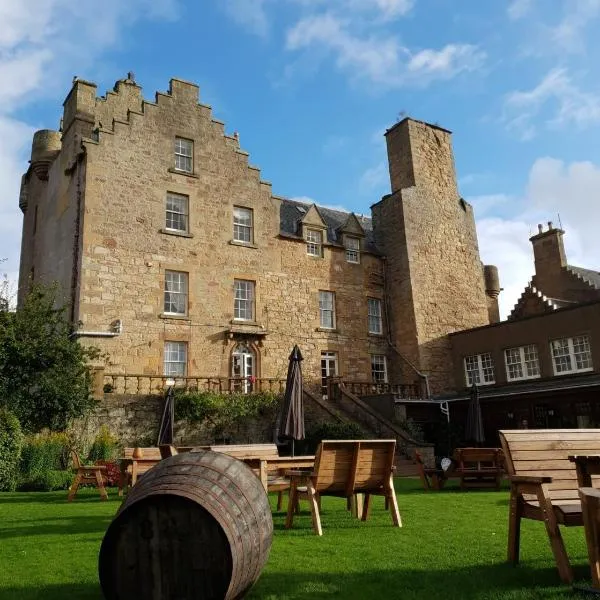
x,y
42,453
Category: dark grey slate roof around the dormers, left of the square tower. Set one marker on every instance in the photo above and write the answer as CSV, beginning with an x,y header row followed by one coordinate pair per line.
x,y
292,212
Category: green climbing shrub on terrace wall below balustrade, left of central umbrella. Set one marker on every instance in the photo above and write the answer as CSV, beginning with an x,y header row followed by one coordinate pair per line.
x,y
222,411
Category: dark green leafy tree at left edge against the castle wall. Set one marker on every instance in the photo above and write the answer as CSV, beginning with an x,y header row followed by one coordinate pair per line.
x,y
44,374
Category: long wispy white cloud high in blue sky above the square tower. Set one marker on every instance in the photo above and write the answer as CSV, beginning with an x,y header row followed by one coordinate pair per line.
x,y
380,59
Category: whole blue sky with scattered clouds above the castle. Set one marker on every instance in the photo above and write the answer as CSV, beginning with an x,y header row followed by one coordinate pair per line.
x,y
311,85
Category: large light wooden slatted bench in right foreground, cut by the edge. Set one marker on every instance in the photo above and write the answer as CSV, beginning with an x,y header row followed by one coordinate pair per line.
x,y
544,484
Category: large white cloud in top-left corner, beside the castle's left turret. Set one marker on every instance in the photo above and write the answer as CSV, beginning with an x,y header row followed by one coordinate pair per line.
x,y
40,49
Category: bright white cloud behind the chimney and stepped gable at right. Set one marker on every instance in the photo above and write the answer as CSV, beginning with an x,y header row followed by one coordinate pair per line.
x,y
554,188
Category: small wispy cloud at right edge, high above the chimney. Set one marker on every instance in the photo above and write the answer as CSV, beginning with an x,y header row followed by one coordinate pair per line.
x,y
557,95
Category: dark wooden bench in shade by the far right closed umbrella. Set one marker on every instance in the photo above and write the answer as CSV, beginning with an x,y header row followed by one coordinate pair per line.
x,y
478,467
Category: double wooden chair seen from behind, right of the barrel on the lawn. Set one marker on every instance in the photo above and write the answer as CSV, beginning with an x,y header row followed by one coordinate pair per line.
x,y
344,469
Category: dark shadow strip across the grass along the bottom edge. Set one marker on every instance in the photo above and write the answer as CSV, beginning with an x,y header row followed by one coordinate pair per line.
x,y
473,583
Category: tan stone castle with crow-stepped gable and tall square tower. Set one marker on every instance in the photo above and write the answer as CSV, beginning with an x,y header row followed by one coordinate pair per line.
x,y
177,258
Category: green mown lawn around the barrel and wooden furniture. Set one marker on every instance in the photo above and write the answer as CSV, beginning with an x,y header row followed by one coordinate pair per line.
x,y
452,545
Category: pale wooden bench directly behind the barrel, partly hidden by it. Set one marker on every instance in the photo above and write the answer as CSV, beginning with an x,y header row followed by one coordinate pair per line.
x,y
257,457
